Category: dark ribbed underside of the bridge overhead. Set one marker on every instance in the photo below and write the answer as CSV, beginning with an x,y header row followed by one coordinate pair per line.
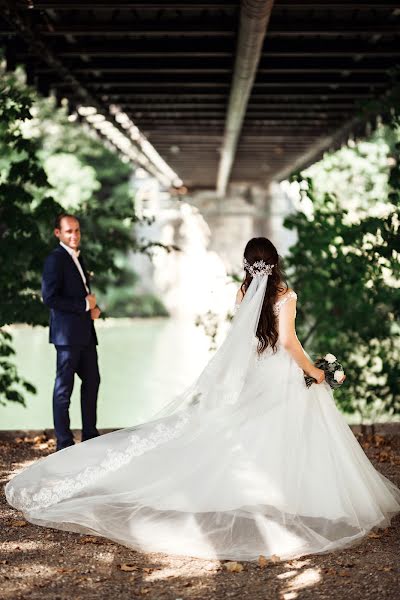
x,y
229,93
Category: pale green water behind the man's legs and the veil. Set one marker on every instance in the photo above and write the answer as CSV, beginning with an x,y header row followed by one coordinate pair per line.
x,y
143,363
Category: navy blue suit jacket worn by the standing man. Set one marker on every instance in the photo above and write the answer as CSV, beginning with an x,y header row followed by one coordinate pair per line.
x,y
64,292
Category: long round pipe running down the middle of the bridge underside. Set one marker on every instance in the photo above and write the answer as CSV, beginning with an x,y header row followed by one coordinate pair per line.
x,y
254,18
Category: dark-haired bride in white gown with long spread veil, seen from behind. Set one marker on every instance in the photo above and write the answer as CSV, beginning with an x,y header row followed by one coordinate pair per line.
x,y
247,462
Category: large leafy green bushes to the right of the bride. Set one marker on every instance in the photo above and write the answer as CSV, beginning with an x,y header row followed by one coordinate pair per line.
x,y
345,266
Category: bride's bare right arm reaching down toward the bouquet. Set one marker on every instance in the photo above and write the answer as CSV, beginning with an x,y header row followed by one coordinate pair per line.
x,y
289,340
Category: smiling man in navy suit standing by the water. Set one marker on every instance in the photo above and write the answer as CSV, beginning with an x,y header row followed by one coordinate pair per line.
x,y
66,291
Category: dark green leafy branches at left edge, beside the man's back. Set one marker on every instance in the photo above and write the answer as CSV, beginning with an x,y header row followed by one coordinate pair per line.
x,y
25,209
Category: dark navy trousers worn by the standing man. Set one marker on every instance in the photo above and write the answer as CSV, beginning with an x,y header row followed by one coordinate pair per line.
x,y
81,360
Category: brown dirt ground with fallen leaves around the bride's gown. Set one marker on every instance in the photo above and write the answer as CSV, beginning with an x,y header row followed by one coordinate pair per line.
x,y
37,563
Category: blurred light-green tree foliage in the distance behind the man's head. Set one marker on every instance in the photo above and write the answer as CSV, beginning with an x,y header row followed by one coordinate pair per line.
x,y
103,200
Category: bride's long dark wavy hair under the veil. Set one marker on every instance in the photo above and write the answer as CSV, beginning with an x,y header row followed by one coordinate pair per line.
x,y
263,249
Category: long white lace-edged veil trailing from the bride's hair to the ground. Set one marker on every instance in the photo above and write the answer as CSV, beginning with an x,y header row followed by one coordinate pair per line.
x,y
217,389
